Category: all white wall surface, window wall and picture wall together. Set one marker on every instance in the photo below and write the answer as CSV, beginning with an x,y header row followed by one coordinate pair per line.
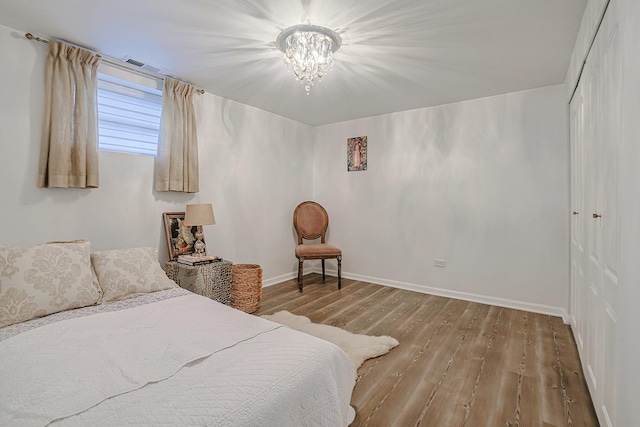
x,y
482,184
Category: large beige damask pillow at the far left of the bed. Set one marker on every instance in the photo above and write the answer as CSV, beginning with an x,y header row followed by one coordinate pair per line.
x,y
45,279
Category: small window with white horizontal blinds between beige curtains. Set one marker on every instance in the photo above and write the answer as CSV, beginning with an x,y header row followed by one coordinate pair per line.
x,y
128,115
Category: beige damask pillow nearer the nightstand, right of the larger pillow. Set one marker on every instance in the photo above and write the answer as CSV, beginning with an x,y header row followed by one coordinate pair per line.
x,y
125,273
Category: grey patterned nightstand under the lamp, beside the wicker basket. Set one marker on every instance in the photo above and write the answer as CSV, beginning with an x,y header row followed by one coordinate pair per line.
x,y
211,280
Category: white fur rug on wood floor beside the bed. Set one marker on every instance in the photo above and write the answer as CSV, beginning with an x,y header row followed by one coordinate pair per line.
x,y
358,347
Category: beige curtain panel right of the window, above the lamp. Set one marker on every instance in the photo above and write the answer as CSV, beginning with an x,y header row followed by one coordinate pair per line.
x,y
177,159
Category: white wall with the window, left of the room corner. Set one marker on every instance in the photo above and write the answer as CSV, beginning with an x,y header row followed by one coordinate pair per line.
x,y
254,168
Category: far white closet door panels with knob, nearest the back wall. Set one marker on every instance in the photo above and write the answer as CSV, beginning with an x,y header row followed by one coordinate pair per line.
x,y
586,236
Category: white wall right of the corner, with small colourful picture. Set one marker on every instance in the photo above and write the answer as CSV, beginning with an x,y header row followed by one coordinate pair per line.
x,y
482,184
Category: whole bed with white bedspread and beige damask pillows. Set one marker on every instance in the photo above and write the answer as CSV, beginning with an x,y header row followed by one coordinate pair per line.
x,y
148,353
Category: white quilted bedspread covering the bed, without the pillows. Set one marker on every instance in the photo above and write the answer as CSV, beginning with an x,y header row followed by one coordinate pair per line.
x,y
182,361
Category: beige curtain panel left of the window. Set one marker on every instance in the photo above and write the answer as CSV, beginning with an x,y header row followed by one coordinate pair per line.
x,y
69,147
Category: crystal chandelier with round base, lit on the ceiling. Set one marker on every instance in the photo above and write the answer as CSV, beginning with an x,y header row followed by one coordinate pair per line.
x,y
308,51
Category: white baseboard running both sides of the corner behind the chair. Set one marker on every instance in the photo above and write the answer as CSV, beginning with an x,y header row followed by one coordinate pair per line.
x,y
465,296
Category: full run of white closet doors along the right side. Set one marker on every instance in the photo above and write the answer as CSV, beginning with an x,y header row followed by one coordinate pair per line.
x,y
595,141
